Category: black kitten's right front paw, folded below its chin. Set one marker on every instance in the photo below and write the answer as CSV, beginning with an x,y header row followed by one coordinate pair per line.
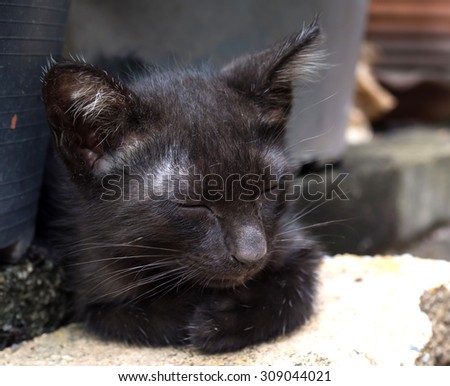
x,y
234,319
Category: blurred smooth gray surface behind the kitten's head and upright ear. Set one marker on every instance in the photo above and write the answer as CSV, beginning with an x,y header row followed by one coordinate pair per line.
x,y
191,32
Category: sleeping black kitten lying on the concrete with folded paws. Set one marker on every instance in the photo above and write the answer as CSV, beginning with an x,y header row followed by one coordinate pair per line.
x,y
176,200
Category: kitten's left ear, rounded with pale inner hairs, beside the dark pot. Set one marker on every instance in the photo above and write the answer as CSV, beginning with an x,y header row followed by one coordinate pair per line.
x,y
89,113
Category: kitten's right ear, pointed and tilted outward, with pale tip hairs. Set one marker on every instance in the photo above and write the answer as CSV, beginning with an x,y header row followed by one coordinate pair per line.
x,y
266,77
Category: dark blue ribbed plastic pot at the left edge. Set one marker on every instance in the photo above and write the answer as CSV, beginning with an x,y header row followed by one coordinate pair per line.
x,y
30,30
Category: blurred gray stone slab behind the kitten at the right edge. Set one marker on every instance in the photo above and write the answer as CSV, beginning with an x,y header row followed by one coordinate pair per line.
x,y
396,188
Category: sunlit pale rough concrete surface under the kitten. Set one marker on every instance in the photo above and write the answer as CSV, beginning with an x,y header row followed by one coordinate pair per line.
x,y
367,314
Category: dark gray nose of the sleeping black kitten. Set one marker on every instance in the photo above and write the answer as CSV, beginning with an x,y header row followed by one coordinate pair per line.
x,y
250,245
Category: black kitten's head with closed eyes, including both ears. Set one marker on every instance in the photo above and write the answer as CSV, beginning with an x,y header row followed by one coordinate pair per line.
x,y
176,164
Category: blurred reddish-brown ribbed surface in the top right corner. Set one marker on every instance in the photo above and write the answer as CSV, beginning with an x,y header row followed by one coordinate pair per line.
x,y
414,35
